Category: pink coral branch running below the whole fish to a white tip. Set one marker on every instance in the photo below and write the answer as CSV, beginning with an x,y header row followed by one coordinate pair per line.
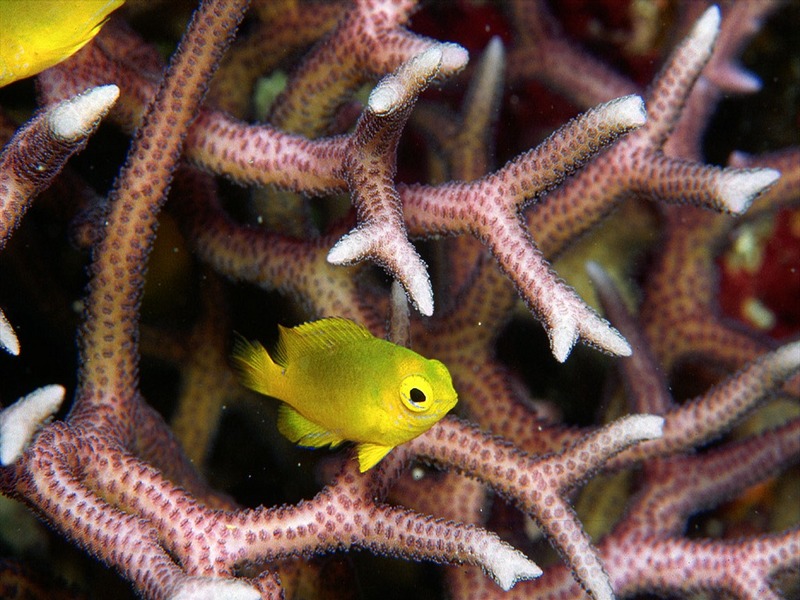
x,y
343,515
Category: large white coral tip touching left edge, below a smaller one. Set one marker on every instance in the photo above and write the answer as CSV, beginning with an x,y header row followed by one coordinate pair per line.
x,y
20,421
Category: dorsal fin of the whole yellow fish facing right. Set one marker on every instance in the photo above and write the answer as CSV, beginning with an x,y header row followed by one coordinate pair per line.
x,y
321,335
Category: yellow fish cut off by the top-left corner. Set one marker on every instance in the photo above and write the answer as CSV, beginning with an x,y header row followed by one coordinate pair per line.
x,y
37,34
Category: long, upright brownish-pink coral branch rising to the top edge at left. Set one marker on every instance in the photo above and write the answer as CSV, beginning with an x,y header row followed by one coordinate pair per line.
x,y
118,267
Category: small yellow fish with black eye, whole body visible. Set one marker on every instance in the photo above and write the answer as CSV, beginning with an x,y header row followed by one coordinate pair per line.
x,y
340,383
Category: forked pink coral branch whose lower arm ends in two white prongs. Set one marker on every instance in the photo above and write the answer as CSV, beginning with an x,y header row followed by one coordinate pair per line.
x,y
489,208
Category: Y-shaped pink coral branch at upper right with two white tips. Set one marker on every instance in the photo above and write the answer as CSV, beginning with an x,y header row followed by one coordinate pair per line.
x,y
636,165
